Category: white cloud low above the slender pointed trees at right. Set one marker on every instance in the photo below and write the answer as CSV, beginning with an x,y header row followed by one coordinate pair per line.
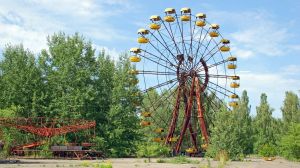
x,y
273,84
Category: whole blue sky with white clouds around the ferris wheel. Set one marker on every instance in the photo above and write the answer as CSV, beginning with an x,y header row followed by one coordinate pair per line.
x,y
264,34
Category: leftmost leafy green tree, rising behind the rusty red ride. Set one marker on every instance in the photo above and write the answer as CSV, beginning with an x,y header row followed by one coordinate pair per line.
x,y
21,81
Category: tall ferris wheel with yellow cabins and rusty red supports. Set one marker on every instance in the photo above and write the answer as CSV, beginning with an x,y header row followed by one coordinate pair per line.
x,y
184,59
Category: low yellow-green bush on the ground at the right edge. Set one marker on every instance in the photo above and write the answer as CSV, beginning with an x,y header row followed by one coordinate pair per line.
x,y
290,143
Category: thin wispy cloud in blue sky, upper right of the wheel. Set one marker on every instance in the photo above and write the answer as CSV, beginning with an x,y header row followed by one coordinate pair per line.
x,y
256,33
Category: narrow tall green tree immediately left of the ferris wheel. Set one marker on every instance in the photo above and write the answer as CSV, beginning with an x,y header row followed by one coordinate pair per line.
x,y
123,123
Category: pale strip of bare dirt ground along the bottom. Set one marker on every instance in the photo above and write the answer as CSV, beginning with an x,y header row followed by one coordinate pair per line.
x,y
136,163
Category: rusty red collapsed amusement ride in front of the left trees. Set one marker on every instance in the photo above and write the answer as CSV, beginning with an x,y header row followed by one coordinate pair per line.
x,y
46,129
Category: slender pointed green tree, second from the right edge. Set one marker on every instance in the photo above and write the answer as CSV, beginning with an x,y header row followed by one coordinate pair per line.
x,y
264,125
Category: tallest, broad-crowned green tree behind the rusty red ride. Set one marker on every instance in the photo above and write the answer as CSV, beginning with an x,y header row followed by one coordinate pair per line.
x,y
68,67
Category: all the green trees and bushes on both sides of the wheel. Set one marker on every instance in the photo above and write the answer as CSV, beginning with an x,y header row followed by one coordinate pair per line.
x,y
70,80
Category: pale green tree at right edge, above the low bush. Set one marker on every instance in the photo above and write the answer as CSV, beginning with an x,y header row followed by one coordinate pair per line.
x,y
291,108
